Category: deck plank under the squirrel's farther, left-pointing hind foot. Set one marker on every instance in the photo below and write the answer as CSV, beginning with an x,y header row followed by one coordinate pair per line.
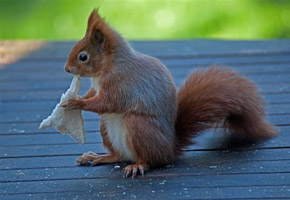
x,y
195,158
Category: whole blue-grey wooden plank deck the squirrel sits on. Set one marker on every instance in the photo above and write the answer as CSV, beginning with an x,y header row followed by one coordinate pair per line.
x,y
38,164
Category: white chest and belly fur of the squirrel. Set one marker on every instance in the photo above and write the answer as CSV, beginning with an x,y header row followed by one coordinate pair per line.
x,y
117,130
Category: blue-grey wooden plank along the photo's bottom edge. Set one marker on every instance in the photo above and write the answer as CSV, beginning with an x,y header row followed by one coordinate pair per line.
x,y
245,193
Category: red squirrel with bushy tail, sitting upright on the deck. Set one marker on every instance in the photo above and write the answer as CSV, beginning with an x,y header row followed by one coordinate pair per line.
x,y
144,119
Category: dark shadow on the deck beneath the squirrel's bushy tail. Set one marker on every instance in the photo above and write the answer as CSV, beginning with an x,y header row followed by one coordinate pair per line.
x,y
219,154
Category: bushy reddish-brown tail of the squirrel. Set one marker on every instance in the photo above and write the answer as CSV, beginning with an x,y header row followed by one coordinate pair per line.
x,y
220,96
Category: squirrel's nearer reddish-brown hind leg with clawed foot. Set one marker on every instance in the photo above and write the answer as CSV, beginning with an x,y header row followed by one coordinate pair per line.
x,y
151,145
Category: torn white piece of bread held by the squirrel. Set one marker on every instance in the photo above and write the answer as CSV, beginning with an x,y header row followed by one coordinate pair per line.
x,y
67,121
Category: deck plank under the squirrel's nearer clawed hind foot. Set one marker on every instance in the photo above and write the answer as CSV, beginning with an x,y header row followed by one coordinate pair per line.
x,y
181,167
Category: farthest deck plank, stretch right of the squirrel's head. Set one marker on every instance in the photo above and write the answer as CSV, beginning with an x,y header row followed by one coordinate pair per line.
x,y
209,47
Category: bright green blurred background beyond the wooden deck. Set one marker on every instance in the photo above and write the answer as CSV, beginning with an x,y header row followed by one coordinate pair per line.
x,y
147,19
